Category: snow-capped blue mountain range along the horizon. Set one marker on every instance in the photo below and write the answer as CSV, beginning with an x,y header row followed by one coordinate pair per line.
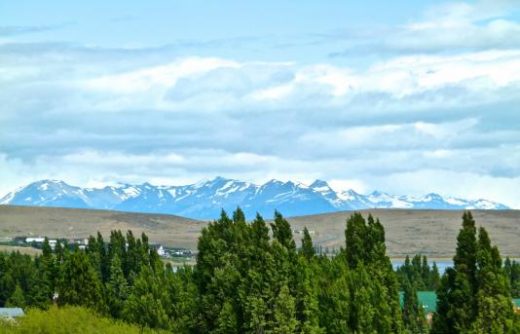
x,y
205,199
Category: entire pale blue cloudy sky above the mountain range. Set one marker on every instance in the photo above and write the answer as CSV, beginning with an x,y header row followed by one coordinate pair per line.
x,y
407,97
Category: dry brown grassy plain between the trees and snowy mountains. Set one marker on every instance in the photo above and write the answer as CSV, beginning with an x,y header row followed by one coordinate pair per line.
x,y
430,232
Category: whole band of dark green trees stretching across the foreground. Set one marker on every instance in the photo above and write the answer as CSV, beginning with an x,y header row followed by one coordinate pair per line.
x,y
251,277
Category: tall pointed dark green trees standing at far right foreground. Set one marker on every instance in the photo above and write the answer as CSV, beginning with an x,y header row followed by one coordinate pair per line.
x,y
474,296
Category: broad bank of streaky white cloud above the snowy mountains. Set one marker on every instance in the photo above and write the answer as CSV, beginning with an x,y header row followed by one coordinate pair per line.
x,y
442,107
